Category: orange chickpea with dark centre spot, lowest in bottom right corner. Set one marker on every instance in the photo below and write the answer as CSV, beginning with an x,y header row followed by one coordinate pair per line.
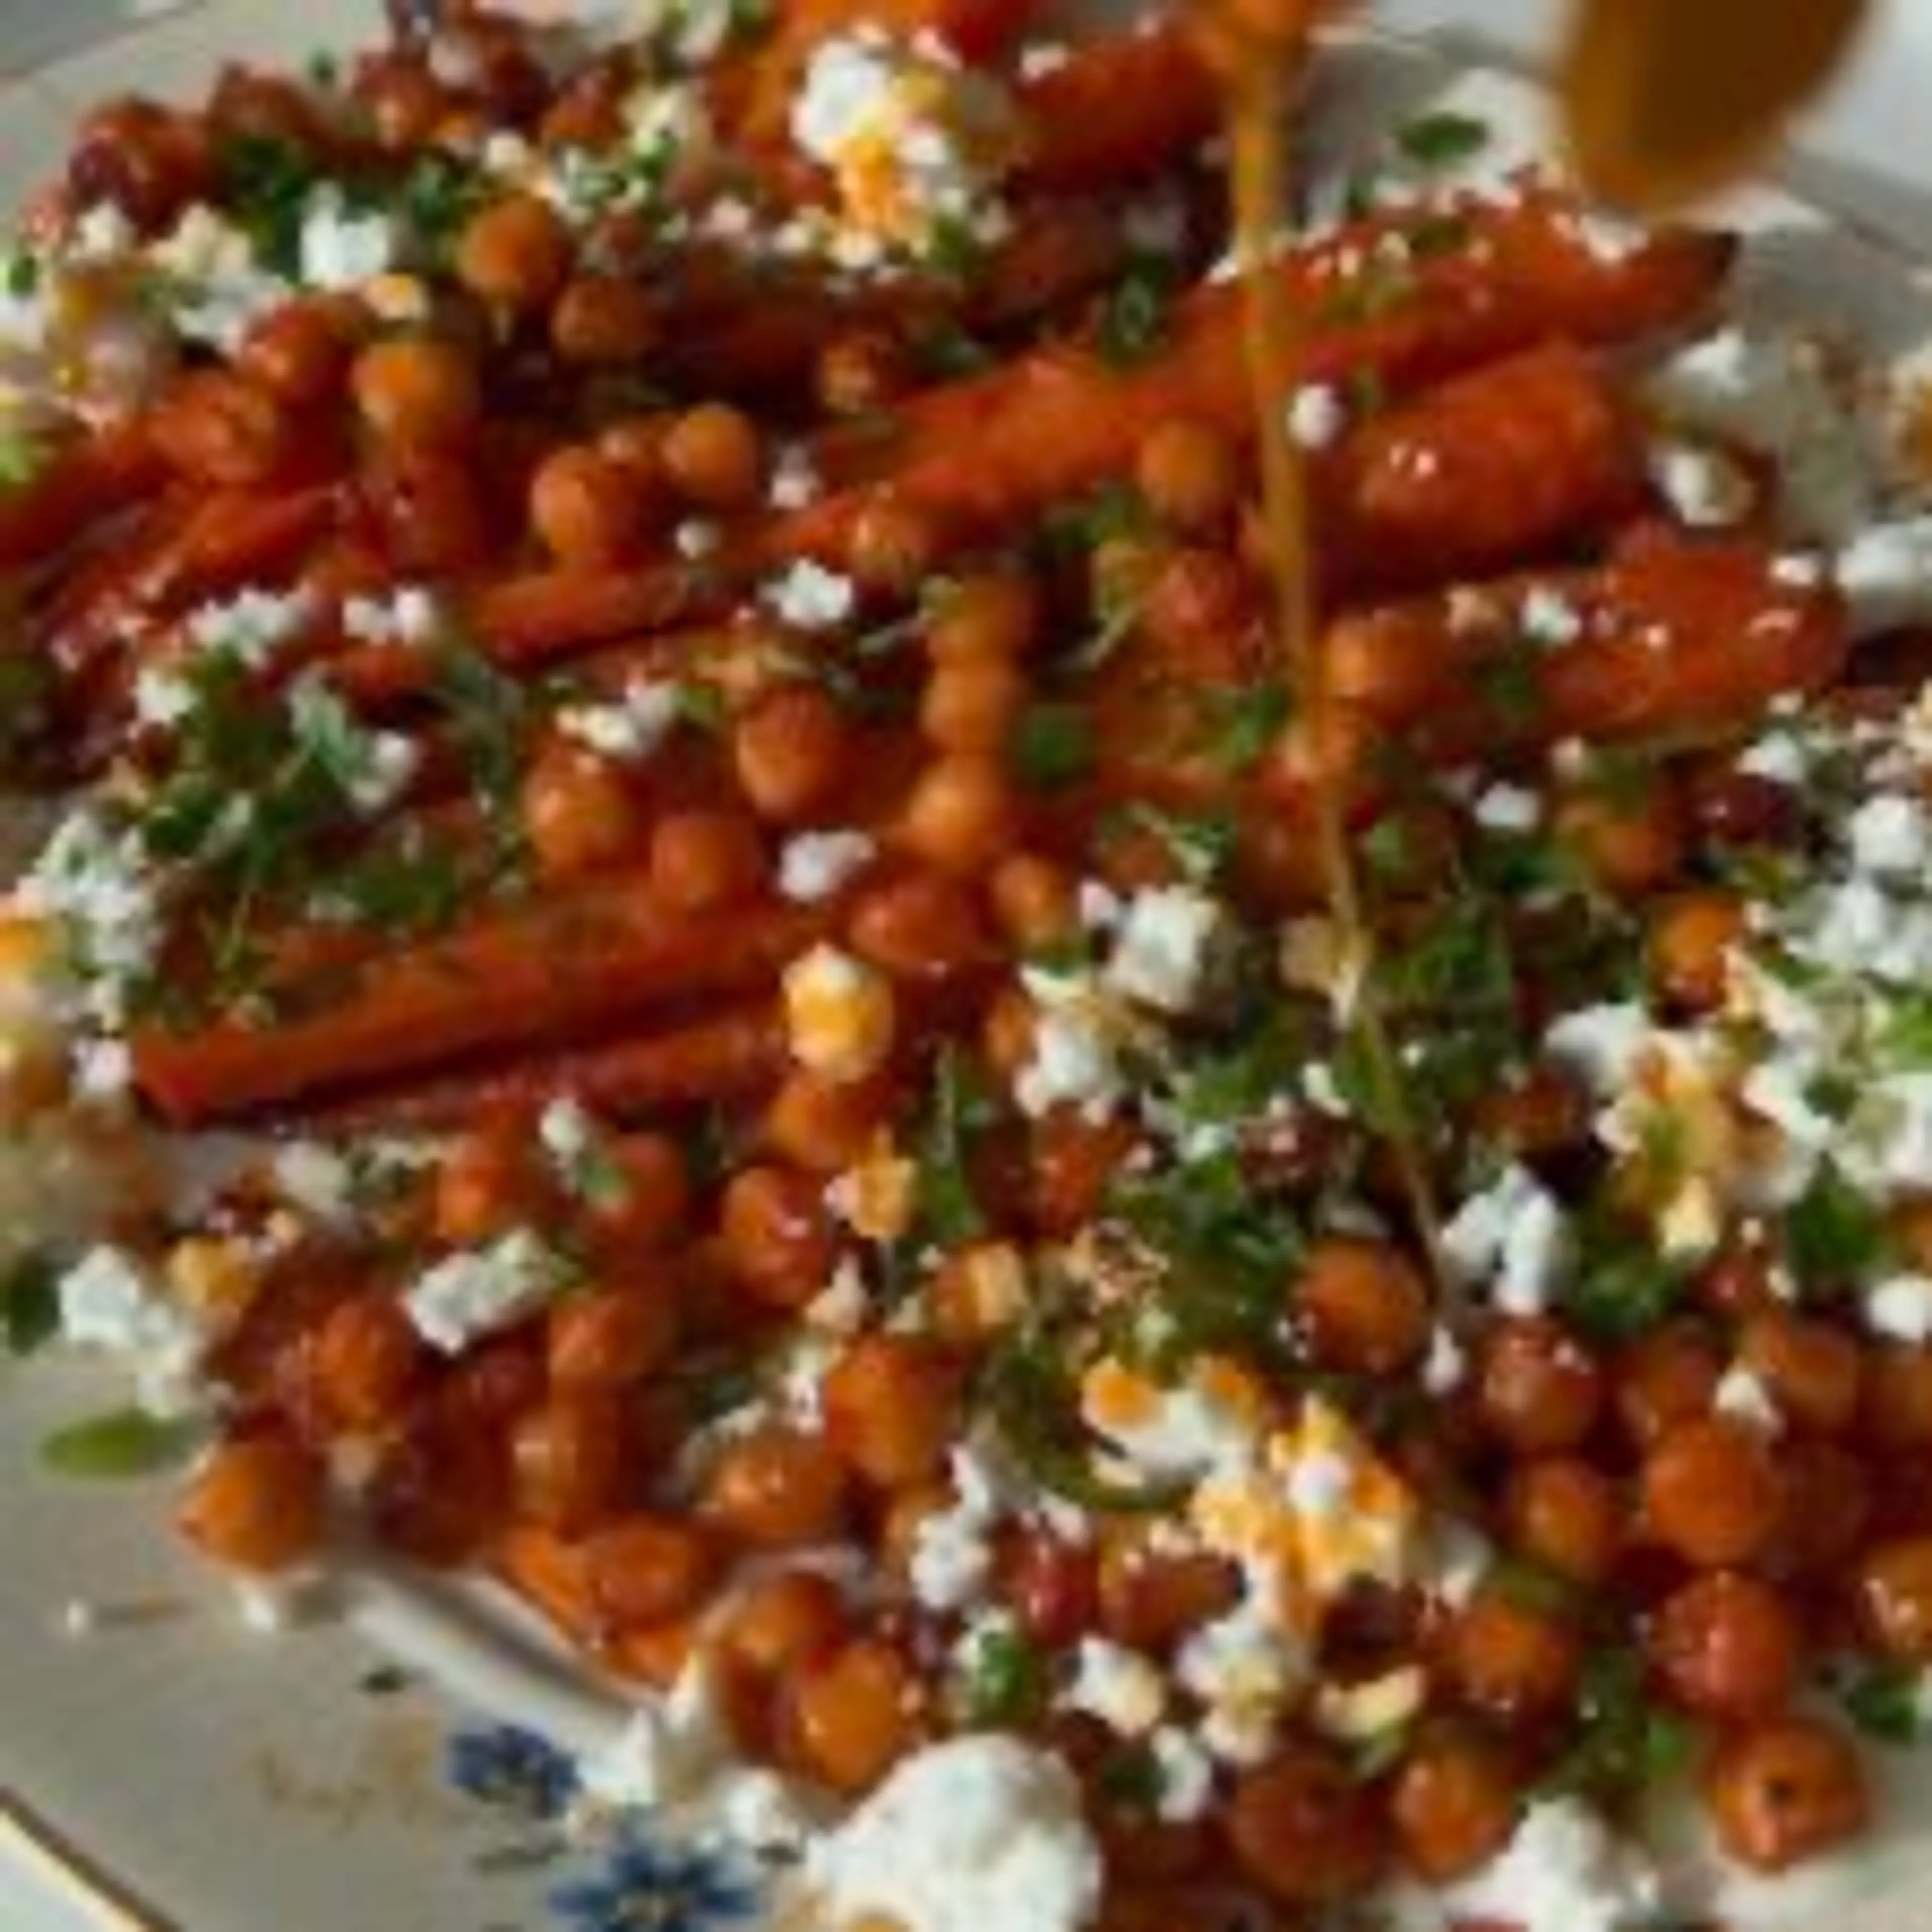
x,y
1786,1792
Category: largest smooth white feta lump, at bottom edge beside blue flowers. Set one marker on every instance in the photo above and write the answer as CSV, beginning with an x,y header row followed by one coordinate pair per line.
x,y
965,1836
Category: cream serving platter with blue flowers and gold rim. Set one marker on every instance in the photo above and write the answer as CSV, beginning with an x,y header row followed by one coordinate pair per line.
x,y
384,1751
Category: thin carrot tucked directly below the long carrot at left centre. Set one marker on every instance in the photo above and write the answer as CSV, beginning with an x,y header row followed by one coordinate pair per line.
x,y
725,1056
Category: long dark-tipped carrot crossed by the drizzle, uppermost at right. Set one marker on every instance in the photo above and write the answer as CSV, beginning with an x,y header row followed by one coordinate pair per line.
x,y
984,455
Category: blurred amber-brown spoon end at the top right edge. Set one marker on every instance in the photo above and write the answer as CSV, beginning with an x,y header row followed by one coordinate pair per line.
x,y
1674,99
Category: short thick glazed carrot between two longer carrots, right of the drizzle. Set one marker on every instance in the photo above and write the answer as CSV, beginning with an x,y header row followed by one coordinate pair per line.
x,y
1481,474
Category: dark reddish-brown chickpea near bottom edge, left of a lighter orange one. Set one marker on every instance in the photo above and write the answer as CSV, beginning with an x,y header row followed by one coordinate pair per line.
x,y
1305,1831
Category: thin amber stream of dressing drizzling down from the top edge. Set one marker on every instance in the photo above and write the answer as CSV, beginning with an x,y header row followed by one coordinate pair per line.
x,y
1261,65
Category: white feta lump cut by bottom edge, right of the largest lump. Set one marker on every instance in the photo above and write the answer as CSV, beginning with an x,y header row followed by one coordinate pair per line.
x,y
1564,1871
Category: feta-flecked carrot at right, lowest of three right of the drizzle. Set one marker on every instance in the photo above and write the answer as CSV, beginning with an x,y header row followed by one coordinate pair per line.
x,y
1674,640
